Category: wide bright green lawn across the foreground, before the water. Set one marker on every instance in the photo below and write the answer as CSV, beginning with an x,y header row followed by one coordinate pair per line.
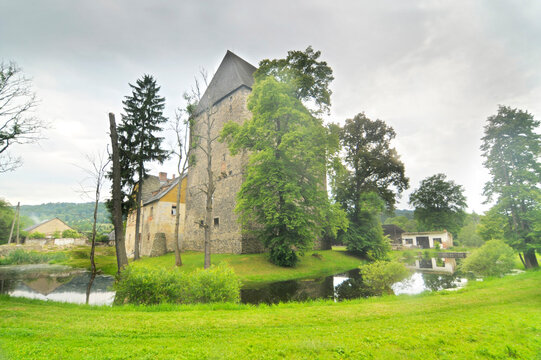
x,y
494,319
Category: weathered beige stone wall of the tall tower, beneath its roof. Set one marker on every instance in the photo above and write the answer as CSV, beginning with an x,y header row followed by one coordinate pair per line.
x,y
228,171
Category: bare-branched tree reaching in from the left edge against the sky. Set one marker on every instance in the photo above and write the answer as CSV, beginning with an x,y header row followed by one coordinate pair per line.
x,y
17,123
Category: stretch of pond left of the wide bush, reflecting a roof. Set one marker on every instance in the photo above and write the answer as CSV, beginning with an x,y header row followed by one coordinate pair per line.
x,y
57,284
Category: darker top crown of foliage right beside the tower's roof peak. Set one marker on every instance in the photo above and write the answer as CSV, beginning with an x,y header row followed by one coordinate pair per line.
x,y
309,77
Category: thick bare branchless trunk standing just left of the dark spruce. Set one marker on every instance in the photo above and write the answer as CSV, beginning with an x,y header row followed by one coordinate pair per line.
x,y
121,258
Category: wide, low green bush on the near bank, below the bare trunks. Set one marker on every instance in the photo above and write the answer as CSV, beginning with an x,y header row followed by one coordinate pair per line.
x,y
142,286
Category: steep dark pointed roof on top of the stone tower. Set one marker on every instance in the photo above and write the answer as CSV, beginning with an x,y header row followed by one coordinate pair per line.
x,y
233,73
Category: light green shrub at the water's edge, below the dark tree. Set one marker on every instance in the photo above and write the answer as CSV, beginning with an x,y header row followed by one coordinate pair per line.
x,y
380,275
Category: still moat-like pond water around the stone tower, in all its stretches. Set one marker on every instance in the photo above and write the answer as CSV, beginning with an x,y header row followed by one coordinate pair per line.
x,y
65,284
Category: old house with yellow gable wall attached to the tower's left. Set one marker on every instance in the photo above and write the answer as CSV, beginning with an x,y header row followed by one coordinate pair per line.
x,y
158,216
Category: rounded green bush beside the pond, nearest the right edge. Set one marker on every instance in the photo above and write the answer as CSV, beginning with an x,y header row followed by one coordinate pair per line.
x,y
494,258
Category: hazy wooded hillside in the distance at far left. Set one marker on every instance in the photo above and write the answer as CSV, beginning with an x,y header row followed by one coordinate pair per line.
x,y
77,215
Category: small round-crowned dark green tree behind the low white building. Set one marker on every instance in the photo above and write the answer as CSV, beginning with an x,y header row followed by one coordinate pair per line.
x,y
439,204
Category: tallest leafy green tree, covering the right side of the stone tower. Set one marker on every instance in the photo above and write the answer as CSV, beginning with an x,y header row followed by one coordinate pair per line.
x,y
283,200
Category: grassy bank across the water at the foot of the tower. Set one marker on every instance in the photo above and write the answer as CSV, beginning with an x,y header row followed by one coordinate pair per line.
x,y
252,269
